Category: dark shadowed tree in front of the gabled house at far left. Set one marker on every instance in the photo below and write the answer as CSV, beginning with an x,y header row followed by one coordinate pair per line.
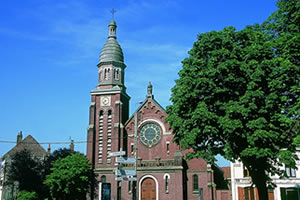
x,y
25,169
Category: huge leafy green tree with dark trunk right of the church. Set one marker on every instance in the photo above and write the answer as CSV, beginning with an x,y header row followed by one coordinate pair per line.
x,y
238,96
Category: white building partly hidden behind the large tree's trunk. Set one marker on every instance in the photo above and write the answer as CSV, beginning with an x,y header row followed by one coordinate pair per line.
x,y
287,188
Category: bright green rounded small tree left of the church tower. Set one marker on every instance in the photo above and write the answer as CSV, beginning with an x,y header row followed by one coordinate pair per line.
x,y
71,177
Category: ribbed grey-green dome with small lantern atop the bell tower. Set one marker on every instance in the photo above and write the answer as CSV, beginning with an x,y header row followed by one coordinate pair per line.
x,y
112,50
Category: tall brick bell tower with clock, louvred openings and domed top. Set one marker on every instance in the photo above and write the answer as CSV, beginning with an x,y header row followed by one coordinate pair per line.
x,y
109,108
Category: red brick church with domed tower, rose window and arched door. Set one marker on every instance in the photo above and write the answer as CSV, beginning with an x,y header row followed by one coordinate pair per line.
x,y
162,172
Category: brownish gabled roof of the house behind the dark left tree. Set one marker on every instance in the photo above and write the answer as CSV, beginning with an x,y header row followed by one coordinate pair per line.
x,y
30,144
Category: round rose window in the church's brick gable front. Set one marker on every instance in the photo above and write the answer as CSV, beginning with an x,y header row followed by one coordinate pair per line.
x,y
150,134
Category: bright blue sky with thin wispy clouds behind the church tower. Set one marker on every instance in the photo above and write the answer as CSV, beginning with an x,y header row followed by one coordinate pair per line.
x,y
49,51
